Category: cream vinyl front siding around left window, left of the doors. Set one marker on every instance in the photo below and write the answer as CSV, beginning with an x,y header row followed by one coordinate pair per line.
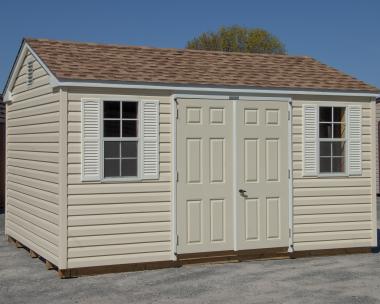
x,y
118,222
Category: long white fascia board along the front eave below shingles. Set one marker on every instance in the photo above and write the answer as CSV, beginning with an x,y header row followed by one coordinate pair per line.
x,y
206,89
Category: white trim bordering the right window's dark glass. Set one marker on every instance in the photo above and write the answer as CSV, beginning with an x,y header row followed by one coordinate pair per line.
x,y
332,174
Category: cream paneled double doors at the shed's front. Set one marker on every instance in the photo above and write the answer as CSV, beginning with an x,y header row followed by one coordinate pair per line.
x,y
232,163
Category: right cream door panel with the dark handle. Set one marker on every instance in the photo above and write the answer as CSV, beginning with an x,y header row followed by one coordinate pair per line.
x,y
262,172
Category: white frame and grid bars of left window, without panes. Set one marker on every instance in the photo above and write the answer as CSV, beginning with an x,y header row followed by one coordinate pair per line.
x,y
121,139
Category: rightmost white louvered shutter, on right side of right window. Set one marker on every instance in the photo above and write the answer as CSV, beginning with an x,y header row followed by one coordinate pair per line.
x,y
354,125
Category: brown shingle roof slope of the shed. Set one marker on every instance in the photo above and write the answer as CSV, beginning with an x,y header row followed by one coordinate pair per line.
x,y
89,61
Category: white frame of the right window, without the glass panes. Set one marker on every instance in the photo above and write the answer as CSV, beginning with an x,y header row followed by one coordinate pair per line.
x,y
343,139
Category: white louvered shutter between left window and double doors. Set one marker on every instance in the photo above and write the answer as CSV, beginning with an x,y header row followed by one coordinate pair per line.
x,y
150,139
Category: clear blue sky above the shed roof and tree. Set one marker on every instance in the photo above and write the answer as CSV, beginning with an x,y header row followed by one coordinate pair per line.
x,y
344,34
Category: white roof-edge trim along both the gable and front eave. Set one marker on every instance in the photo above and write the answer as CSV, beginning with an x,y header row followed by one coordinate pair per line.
x,y
177,88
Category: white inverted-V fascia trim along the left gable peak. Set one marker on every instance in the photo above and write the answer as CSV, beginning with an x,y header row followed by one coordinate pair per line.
x,y
17,66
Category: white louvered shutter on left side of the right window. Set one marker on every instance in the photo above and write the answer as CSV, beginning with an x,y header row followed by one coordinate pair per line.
x,y
310,140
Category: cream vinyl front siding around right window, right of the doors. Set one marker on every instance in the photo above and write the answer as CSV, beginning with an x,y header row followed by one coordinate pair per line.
x,y
332,212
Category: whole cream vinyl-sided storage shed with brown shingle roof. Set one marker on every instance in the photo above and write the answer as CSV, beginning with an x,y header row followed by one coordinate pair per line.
x,y
121,155
